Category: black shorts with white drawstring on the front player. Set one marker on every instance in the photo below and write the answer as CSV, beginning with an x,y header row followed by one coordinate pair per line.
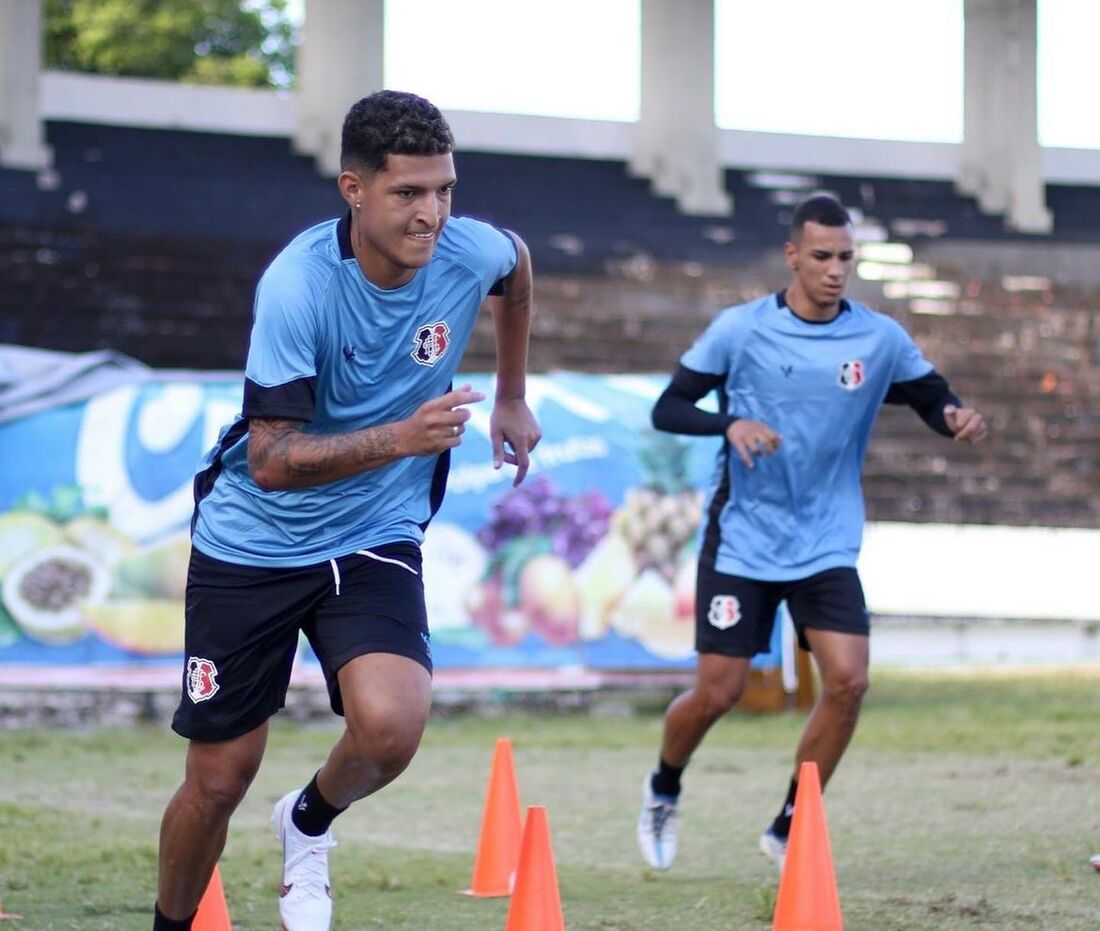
x,y
244,623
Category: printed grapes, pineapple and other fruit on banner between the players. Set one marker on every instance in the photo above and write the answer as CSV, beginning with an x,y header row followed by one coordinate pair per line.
x,y
570,569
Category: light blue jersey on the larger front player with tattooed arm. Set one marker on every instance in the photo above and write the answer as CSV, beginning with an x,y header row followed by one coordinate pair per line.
x,y
334,351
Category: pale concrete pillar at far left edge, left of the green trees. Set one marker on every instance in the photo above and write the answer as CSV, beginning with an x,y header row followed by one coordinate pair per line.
x,y
23,138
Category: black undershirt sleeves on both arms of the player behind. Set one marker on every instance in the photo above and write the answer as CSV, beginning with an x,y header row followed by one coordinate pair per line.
x,y
676,412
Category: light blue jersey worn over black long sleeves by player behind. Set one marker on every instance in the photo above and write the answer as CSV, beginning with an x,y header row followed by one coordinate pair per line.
x,y
819,386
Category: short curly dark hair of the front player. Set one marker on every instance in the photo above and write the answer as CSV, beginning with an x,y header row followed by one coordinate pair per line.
x,y
392,123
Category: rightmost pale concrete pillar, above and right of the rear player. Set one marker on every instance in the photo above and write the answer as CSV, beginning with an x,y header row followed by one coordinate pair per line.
x,y
1000,160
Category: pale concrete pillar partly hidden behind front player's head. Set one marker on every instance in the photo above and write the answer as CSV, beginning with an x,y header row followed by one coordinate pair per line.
x,y
339,62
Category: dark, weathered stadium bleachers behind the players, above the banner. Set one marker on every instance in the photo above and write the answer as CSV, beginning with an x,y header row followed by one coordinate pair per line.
x,y
151,242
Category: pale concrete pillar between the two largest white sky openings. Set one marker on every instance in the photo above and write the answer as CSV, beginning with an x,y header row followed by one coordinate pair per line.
x,y
677,143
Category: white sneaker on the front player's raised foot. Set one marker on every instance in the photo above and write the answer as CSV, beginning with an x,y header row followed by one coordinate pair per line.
x,y
305,900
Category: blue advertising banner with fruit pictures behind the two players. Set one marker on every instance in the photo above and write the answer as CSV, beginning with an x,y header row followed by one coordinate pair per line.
x,y
590,563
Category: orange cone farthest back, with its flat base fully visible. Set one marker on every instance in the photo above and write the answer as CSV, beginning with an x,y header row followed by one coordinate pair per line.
x,y
502,829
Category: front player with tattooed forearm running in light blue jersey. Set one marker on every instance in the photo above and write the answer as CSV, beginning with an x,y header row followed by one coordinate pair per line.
x,y
312,507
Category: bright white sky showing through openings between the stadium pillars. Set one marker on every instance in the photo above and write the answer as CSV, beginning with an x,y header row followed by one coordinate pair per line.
x,y
826,79
